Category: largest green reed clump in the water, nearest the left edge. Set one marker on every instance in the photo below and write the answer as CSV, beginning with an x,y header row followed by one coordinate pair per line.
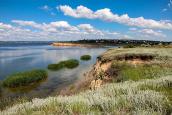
x,y
24,78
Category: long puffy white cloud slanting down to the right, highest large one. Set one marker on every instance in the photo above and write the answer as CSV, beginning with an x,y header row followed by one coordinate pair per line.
x,y
106,15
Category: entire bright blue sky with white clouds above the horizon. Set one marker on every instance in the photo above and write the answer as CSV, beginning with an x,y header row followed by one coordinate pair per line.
x,y
62,20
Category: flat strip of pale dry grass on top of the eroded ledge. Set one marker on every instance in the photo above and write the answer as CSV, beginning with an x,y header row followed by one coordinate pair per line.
x,y
161,54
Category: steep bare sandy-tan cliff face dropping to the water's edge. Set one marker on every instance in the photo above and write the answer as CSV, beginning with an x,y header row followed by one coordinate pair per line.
x,y
92,79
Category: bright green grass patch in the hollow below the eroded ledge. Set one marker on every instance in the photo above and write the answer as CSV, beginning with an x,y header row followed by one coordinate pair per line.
x,y
127,71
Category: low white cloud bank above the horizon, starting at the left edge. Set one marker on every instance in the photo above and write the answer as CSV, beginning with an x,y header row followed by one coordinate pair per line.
x,y
59,30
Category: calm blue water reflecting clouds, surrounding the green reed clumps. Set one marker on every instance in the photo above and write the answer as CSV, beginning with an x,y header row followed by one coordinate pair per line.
x,y
16,58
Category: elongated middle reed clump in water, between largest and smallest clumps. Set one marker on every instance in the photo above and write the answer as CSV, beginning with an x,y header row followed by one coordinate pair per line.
x,y
70,64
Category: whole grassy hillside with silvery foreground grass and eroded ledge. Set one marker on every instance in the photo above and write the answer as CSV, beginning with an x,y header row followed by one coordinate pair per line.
x,y
145,87
